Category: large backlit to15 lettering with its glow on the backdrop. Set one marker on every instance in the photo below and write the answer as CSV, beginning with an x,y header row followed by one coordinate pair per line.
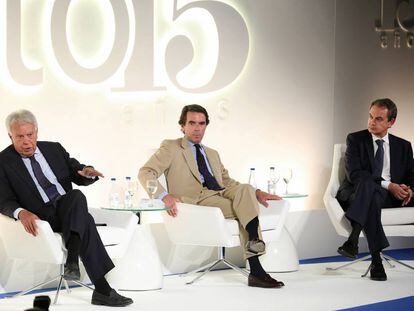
x,y
191,46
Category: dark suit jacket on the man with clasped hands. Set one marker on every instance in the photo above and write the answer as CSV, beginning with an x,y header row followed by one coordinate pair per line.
x,y
359,162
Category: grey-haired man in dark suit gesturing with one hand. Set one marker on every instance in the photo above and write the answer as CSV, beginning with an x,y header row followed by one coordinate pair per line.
x,y
36,183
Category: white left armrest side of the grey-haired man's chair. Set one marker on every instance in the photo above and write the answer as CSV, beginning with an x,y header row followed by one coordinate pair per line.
x,y
46,247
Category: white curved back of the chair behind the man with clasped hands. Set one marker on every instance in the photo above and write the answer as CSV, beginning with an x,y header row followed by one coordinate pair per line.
x,y
333,208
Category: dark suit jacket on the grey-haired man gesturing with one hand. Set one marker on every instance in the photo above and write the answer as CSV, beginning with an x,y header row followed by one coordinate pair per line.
x,y
17,188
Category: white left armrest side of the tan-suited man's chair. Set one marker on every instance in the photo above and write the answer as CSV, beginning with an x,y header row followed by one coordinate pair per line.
x,y
200,225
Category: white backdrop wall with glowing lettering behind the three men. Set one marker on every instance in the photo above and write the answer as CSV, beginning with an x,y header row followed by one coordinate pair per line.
x,y
282,80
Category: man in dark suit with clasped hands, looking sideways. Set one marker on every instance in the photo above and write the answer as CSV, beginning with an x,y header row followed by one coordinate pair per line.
x,y
379,174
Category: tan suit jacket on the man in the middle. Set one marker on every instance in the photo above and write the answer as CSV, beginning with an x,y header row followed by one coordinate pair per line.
x,y
176,161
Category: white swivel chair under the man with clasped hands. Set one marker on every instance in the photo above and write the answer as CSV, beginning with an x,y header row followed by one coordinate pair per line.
x,y
396,221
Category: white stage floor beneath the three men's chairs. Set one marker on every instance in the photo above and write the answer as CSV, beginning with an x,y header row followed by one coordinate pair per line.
x,y
310,288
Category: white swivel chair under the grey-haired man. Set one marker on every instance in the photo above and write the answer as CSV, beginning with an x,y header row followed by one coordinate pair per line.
x,y
47,247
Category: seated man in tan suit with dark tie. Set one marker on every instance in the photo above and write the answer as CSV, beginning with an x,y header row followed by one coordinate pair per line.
x,y
196,175
